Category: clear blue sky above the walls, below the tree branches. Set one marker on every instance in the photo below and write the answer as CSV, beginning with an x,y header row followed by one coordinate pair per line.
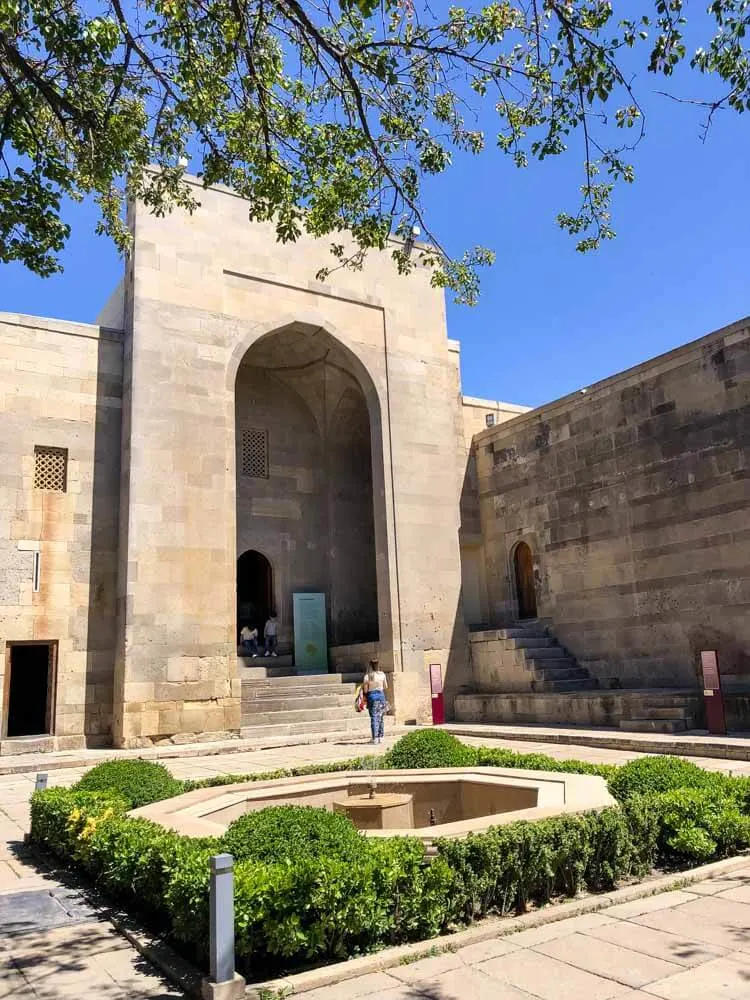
x,y
550,320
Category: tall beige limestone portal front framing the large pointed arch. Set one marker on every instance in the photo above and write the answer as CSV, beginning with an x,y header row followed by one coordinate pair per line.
x,y
205,296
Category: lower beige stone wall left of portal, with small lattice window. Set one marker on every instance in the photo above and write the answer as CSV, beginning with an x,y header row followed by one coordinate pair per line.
x,y
61,387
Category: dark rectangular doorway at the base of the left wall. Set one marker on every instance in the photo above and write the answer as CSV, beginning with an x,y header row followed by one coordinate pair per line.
x,y
29,689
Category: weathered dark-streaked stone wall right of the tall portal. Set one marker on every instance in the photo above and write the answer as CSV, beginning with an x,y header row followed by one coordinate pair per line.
x,y
634,499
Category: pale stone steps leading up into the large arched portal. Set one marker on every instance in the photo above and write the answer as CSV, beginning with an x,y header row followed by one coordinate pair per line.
x,y
277,702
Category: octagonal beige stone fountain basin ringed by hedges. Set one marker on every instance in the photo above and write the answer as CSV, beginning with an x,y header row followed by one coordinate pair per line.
x,y
426,803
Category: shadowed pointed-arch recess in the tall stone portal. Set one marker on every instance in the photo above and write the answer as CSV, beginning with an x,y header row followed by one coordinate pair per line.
x,y
309,471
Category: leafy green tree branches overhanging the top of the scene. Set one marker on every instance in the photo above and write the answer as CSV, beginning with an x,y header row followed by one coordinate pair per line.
x,y
327,115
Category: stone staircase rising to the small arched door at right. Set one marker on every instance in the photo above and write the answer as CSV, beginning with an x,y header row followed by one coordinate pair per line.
x,y
525,656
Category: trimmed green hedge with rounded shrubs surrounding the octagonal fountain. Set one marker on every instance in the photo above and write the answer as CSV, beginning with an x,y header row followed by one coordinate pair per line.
x,y
312,901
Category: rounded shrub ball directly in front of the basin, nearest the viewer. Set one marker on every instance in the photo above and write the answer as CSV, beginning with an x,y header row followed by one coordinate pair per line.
x,y
292,833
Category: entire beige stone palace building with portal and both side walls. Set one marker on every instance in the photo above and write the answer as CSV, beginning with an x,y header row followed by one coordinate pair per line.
x,y
233,434
